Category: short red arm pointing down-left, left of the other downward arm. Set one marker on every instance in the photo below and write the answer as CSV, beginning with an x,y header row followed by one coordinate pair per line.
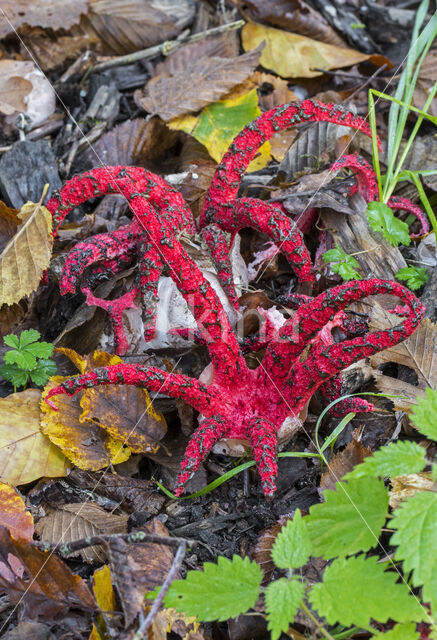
x,y
204,438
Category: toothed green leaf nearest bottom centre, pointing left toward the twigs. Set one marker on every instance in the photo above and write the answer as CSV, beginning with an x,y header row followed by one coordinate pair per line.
x,y
221,591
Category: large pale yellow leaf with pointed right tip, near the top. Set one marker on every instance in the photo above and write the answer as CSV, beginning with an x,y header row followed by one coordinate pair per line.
x,y
293,56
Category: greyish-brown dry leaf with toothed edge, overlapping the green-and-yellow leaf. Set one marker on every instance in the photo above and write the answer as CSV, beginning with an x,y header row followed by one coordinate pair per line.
x,y
171,96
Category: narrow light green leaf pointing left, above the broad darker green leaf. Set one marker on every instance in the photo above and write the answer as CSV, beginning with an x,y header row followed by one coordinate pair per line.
x,y
395,459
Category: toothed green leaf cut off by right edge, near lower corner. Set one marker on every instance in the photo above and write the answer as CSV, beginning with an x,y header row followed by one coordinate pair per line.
x,y
415,521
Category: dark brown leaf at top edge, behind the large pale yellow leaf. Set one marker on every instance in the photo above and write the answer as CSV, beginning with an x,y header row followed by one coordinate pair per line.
x,y
292,15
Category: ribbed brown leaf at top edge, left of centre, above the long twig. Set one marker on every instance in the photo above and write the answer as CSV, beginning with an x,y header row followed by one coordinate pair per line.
x,y
125,26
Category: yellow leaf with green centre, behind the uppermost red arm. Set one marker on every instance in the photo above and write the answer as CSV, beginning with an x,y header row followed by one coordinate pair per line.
x,y
219,123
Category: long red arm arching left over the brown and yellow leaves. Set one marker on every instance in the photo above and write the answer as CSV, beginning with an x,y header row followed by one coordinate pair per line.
x,y
174,385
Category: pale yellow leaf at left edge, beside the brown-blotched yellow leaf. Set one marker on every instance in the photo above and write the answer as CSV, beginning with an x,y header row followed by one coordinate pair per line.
x,y
25,453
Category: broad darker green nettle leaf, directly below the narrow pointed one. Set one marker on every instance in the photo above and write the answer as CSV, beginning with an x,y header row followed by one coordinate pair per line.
x,y
350,519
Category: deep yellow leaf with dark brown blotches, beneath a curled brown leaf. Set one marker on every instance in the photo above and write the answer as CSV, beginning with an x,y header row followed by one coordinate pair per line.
x,y
85,444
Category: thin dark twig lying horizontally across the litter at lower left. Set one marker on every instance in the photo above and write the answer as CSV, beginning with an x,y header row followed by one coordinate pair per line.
x,y
67,548
